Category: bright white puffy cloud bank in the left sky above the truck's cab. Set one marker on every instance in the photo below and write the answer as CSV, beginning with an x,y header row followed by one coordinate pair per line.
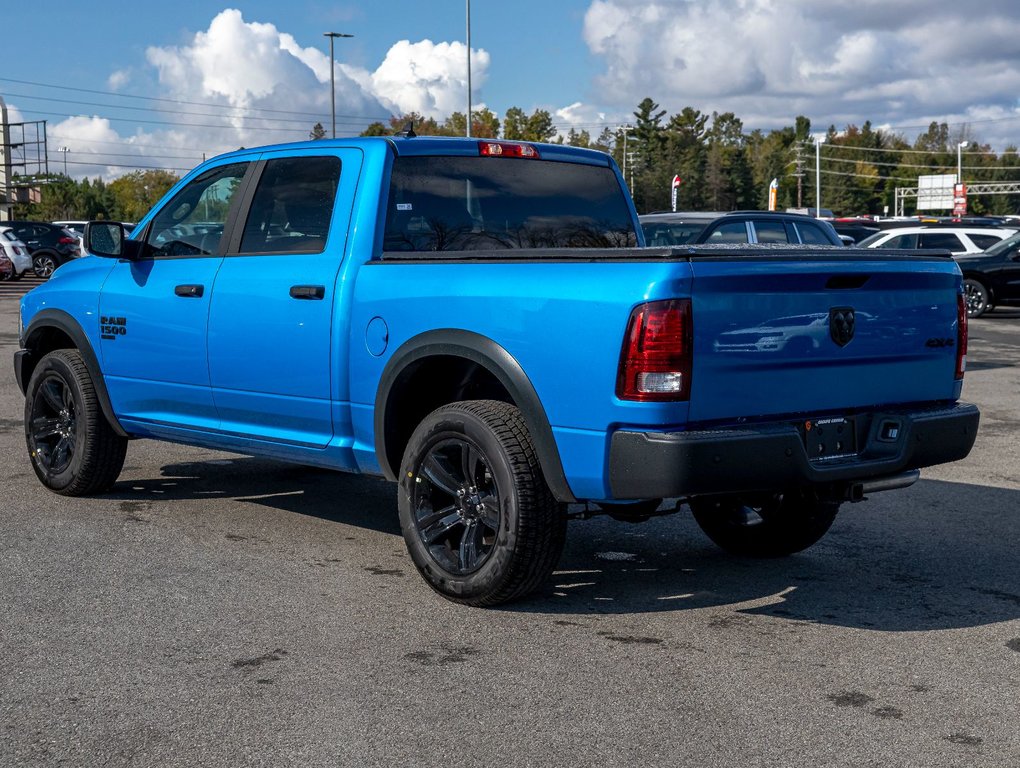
x,y
248,83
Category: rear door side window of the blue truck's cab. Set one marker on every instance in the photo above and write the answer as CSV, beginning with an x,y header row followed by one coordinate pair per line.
x,y
293,207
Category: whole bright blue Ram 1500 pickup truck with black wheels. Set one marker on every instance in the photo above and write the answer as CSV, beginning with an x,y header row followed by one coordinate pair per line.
x,y
479,322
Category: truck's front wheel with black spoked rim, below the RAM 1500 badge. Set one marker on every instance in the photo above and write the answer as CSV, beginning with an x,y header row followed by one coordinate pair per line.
x,y
73,447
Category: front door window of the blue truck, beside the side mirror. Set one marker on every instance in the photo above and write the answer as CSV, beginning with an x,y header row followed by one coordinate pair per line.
x,y
192,224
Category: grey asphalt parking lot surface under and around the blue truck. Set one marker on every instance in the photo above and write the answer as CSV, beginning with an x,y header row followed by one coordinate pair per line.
x,y
219,610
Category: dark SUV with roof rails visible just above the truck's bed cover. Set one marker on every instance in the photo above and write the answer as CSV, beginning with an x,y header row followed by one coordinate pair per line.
x,y
738,227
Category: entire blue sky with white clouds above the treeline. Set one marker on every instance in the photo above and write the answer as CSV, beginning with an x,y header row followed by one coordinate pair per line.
x,y
257,73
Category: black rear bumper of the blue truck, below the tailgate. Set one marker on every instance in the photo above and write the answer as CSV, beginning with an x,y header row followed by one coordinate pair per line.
x,y
771,457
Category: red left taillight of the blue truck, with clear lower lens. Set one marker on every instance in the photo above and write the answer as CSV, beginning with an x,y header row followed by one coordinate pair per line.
x,y
655,364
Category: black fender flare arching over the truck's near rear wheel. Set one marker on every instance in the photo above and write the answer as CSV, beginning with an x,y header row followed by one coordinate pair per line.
x,y
499,363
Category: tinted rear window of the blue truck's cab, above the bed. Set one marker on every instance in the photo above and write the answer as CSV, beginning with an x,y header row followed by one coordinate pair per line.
x,y
477,203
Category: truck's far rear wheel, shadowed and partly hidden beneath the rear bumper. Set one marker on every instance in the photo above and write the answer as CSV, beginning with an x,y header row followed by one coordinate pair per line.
x,y
766,525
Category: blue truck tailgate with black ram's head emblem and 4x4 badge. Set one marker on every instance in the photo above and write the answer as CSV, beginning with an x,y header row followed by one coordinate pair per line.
x,y
822,333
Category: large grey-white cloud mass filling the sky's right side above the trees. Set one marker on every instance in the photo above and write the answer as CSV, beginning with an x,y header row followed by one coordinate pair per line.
x,y
902,64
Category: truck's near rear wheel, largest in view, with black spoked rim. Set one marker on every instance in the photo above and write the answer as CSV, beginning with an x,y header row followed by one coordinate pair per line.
x,y
478,518
